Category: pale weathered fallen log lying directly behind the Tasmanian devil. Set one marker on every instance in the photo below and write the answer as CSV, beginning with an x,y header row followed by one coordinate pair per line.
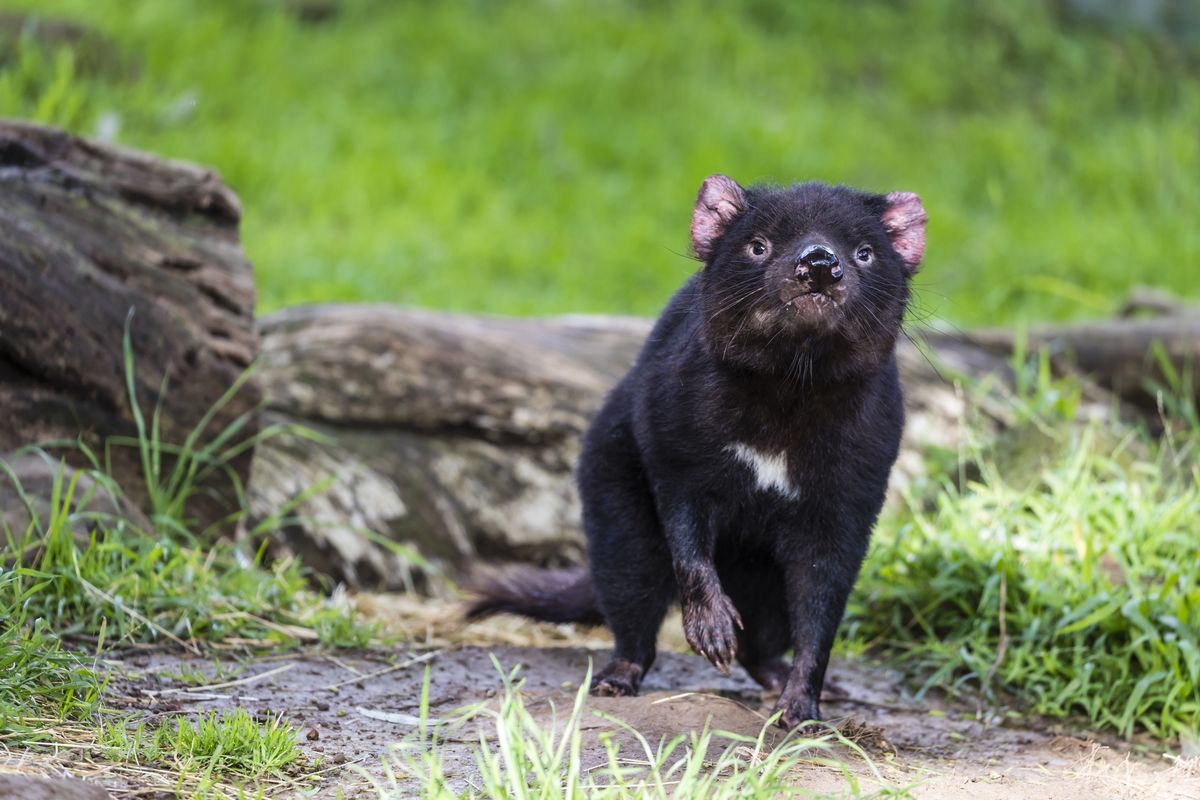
x,y
458,436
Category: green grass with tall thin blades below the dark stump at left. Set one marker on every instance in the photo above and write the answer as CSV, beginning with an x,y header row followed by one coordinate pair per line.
x,y
79,580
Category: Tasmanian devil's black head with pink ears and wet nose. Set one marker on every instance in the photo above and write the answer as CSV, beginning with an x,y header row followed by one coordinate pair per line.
x,y
811,268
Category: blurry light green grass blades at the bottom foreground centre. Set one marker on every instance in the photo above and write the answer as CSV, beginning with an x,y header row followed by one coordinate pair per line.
x,y
520,757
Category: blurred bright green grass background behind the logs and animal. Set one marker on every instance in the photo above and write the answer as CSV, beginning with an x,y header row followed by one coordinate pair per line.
x,y
541,158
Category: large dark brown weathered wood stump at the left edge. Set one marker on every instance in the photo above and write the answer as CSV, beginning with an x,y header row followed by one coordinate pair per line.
x,y
94,239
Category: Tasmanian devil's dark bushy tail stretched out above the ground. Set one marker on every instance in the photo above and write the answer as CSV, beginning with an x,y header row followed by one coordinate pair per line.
x,y
548,596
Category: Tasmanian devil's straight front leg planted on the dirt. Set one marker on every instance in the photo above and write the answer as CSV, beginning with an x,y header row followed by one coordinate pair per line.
x,y
818,584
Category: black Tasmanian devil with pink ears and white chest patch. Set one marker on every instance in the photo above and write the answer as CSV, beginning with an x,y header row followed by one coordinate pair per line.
x,y
742,462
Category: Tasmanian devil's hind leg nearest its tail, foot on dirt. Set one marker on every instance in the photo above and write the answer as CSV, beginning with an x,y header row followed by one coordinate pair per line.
x,y
631,564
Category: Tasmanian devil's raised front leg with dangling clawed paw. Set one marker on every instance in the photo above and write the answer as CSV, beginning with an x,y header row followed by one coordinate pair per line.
x,y
710,621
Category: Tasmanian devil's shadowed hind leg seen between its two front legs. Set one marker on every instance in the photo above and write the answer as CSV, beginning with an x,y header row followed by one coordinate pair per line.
x,y
757,588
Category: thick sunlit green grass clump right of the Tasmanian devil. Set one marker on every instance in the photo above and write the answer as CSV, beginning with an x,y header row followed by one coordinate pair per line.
x,y
1066,585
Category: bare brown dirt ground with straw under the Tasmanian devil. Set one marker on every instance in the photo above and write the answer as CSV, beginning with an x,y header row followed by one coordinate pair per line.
x,y
352,708
